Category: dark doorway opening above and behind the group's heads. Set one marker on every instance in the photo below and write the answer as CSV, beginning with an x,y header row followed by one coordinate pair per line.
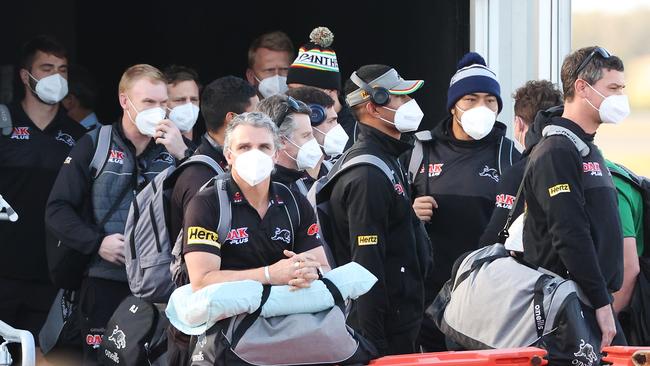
x,y
421,39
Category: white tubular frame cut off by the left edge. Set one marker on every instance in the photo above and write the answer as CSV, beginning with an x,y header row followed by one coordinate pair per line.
x,y
8,333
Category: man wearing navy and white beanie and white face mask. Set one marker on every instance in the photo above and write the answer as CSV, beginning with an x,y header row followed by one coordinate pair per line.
x,y
454,170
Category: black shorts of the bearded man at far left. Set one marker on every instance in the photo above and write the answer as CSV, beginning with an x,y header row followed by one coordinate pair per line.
x,y
25,304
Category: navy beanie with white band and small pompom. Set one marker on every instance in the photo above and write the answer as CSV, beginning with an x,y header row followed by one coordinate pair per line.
x,y
473,76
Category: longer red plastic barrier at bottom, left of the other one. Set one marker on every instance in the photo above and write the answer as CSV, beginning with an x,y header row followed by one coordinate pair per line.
x,y
529,356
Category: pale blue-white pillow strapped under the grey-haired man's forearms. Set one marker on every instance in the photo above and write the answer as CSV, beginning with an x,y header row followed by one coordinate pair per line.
x,y
194,313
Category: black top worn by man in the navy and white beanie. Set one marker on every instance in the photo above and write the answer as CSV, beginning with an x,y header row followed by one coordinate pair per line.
x,y
462,178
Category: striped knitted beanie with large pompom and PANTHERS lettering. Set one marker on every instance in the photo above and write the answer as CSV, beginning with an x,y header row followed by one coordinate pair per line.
x,y
316,64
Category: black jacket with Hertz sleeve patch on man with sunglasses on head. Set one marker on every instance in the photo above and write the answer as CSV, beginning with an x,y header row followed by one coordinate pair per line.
x,y
572,226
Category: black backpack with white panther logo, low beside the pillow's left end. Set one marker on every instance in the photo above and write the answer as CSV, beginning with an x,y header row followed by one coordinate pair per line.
x,y
135,334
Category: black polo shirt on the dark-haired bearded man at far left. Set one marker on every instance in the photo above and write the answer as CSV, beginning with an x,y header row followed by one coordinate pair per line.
x,y
30,159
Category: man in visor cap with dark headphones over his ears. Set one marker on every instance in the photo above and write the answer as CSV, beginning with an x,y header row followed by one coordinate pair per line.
x,y
373,222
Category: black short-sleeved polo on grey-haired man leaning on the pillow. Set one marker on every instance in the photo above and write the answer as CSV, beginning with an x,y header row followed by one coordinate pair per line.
x,y
252,242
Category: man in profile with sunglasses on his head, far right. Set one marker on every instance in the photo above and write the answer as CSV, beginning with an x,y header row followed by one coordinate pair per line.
x,y
572,225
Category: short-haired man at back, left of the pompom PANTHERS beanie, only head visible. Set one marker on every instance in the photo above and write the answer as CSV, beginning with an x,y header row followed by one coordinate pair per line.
x,y
269,57
